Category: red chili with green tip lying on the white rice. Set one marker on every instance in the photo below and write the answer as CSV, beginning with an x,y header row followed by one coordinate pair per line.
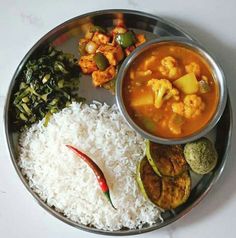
x,y
97,171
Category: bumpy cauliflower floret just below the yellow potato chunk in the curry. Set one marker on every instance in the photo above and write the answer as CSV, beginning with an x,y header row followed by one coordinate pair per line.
x,y
191,107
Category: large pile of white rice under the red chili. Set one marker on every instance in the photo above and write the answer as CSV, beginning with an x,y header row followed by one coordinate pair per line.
x,y
65,181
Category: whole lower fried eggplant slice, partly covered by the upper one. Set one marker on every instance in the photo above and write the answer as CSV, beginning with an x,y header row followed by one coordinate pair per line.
x,y
165,192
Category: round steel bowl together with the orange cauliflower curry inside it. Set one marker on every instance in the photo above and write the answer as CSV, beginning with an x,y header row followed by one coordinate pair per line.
x,y
171,90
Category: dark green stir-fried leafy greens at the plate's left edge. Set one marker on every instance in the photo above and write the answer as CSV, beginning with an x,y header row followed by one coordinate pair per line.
x,y
48,84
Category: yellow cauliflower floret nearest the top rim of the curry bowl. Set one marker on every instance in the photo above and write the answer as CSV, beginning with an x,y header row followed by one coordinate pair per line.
x,y
169,68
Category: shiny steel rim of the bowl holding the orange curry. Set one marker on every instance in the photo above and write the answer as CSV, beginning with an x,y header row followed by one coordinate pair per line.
x,y
218,77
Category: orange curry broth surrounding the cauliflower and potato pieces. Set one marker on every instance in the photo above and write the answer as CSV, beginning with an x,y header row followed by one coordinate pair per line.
x,y
155,120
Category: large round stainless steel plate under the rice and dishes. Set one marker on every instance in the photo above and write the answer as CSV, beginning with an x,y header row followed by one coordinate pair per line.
x,y
65,37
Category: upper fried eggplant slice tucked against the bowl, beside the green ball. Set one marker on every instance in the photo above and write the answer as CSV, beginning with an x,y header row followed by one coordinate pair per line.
x,y
166,160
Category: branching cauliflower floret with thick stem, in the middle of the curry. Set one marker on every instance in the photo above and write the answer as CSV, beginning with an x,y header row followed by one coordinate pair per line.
x,y
163,91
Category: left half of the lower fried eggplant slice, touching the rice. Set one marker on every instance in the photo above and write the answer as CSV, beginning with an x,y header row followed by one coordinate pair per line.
x,y
150,184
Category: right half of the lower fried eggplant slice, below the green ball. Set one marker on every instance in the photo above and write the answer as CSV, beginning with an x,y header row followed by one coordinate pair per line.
x,y
175,191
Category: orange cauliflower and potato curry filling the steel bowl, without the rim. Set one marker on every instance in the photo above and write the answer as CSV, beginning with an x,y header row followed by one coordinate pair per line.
x,y
170,91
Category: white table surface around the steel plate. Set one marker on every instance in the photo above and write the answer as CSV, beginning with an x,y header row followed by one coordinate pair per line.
x,y
23,22
